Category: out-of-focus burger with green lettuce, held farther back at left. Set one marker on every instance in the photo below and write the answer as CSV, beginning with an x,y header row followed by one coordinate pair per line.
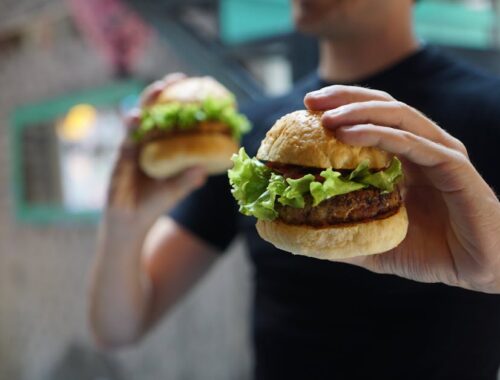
x,y
193,122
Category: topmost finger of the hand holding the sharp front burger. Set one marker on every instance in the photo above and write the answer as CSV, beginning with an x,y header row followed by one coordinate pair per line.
x,y
335,96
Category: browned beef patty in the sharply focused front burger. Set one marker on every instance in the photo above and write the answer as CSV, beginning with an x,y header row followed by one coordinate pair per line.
x,y
357,206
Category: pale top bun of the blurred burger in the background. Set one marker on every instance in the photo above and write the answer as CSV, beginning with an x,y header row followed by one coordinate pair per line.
x,y
194,90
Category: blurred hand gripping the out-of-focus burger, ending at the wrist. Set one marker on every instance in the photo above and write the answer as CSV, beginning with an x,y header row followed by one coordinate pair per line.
x,y
132,194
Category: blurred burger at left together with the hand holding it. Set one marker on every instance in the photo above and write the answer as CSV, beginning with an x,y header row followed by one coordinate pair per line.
x,y
185,129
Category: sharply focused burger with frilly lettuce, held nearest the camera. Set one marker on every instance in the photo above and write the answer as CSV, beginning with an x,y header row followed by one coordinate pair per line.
x,y
316,196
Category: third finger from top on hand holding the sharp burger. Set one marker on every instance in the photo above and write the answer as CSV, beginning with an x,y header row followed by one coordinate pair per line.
x,y
448,169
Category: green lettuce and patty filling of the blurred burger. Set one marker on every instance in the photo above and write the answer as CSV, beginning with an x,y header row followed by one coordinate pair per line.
x,y
210,116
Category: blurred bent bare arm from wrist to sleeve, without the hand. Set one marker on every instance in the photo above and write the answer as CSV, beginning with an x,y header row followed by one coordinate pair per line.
x,y
134,284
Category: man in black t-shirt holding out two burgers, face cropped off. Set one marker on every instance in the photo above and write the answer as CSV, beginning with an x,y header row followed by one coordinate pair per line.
x,y
428,309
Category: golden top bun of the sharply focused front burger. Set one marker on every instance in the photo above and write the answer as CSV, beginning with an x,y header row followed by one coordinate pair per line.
x,y
300,139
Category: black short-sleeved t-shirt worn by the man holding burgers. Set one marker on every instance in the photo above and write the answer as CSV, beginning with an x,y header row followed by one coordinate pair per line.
x,y
315,319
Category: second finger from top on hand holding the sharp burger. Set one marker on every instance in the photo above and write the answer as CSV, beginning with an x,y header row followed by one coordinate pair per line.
x,y
390,114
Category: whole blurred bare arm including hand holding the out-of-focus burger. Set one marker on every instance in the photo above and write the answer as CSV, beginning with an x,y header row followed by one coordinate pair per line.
x,y
144,262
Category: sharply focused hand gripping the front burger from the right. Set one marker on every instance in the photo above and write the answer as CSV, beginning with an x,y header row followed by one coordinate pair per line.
x,y
454,216
